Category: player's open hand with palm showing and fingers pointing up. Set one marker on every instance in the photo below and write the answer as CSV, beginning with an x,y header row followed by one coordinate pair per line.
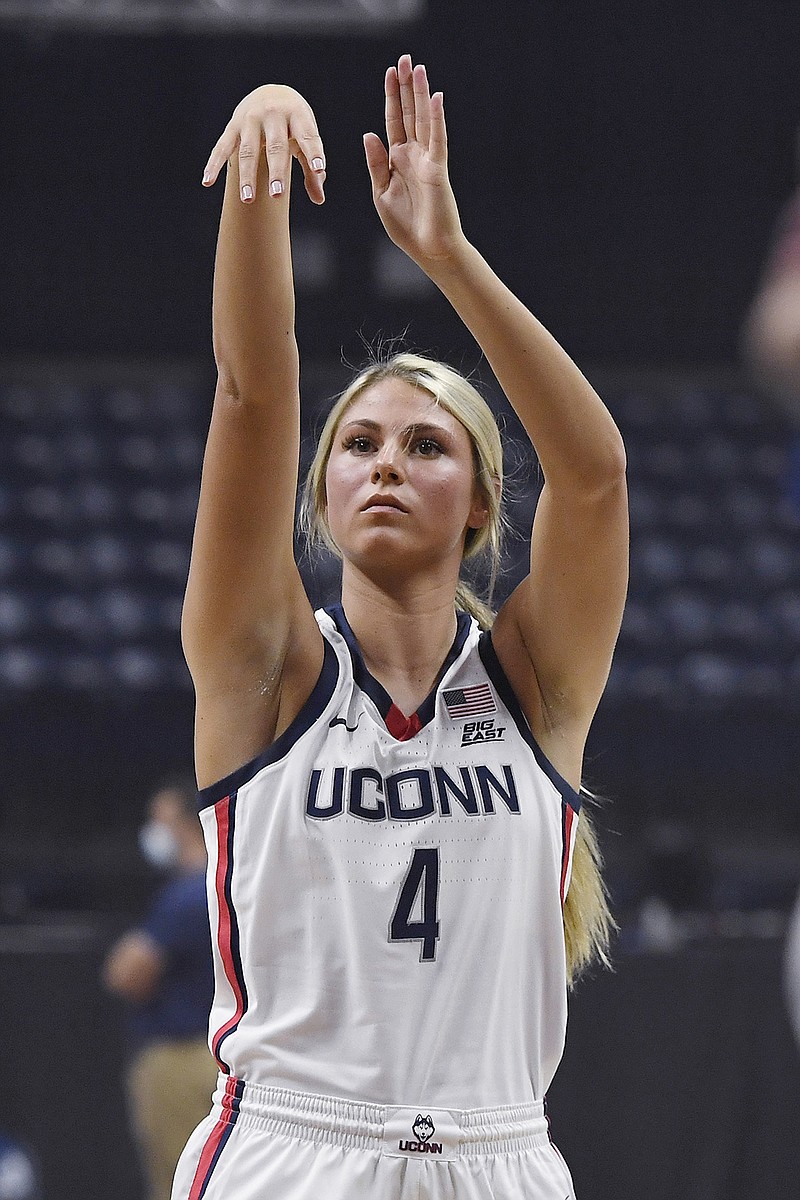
x,y
411,185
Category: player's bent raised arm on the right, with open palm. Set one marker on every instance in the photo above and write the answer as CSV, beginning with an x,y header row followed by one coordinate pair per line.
x,y
557,633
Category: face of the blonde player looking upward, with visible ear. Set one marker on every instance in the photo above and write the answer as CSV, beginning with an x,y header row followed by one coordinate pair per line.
x,y
400,481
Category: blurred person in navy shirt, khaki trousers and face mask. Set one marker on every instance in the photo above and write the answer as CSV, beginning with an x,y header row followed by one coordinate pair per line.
x,y
164,971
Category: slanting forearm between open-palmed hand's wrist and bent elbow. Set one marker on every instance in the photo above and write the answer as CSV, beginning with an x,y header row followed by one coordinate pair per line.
x,y
576,440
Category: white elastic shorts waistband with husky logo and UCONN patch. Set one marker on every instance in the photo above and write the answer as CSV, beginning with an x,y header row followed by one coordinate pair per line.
x,y
413,1129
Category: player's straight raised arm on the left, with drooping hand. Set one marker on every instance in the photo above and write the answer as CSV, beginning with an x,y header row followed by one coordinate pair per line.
x,y
245,607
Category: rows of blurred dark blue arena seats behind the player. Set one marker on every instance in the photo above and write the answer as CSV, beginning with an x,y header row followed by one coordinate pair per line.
x,y
99,488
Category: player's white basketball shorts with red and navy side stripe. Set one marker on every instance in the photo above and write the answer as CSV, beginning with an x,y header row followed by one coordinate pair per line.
x,y
272,1144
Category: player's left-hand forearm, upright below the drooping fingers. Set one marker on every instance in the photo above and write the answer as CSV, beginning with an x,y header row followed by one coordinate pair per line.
x,y
254,292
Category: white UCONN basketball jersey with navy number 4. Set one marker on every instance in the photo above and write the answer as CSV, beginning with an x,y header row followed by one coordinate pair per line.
x,y
386,893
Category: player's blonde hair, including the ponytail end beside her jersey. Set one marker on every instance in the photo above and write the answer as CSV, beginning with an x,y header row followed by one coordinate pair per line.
x,y
588,922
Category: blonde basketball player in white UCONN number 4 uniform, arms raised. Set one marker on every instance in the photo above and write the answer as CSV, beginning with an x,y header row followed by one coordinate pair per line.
x,y
400,885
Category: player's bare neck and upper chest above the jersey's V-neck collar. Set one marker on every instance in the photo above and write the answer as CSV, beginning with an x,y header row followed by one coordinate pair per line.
x,y
405,635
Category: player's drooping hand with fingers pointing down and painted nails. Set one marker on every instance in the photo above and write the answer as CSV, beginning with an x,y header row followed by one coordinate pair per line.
x,y
279,122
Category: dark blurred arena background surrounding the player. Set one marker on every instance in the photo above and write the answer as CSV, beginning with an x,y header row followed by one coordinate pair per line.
x,y
627,169
